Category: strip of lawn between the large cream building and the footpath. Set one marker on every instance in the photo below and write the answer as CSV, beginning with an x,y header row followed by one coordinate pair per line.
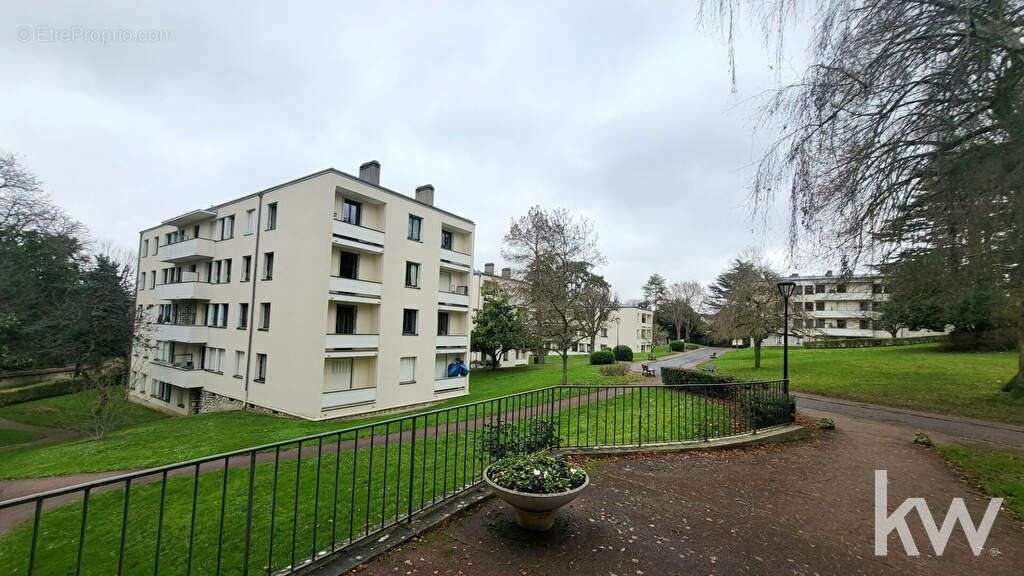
x,y
174,440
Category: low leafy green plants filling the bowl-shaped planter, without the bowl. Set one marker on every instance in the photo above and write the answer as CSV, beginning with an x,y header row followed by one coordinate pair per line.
x,y
537,474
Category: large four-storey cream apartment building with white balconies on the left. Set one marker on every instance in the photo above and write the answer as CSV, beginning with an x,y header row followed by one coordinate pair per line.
x,y
325,297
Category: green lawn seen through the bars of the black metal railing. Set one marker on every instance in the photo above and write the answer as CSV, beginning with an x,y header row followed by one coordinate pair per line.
x,y
305,507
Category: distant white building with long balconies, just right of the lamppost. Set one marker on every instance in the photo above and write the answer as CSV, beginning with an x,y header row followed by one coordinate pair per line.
x,y
838,307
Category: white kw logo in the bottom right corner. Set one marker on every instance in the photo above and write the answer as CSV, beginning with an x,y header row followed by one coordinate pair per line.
x,y
885,524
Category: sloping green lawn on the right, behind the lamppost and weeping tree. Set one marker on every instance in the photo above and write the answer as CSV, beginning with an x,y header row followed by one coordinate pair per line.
x,y
920,378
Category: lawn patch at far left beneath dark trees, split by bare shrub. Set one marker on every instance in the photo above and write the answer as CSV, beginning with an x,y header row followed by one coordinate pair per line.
x,y
70,410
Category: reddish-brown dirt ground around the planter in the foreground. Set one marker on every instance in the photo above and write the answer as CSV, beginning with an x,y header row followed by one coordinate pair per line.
x,y
804,508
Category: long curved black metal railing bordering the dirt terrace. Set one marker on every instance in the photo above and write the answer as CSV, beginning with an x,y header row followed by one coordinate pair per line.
x,y
282,508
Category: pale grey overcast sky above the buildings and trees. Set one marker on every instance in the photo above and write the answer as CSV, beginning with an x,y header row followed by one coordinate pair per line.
x,y
623,116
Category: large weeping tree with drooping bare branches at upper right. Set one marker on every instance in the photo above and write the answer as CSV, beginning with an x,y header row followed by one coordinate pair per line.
x,y
902,101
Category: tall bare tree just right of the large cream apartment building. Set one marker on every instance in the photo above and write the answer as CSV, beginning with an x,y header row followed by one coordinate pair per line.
x,y
554,254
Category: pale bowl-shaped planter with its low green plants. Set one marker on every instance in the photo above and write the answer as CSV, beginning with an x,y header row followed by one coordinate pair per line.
x,y
536,486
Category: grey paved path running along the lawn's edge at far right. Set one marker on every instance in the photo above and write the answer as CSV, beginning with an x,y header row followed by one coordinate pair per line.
x,y
941,426
